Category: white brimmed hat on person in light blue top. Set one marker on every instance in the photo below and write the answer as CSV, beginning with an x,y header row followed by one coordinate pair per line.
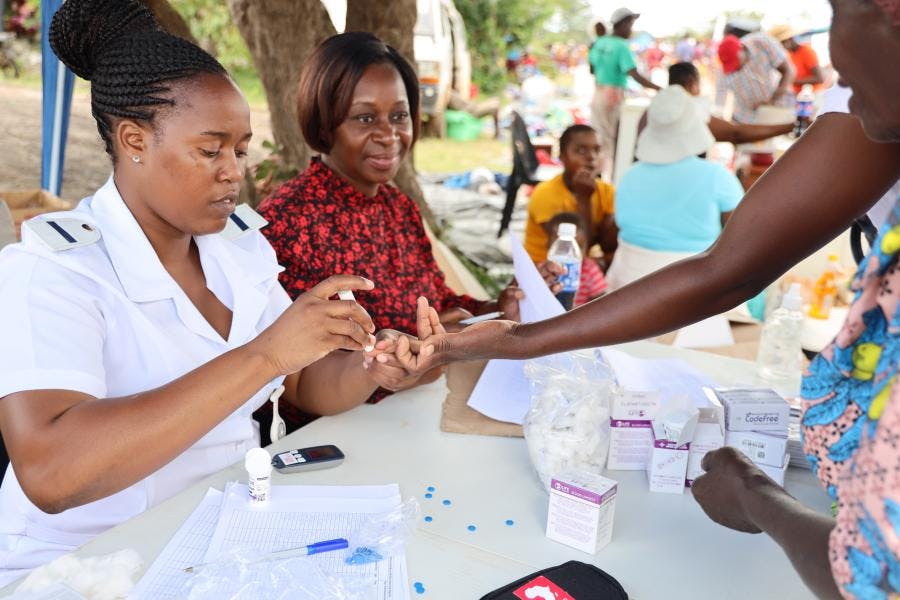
x,y
676,128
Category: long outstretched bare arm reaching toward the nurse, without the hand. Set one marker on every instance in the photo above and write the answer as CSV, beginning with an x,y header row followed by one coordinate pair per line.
x,y
780,221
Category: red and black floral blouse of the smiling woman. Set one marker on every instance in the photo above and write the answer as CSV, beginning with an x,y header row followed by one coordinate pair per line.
x,y
320,226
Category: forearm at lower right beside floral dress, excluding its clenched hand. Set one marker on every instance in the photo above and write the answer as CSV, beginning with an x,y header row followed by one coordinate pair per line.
x,y
801,532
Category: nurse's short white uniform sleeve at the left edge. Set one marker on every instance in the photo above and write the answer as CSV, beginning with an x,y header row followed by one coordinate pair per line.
x,y
51,329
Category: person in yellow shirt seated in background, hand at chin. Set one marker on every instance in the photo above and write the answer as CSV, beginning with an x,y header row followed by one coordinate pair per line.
x,y
577,189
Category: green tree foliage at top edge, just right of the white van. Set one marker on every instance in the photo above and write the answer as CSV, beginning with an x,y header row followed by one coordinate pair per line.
x,y
490,23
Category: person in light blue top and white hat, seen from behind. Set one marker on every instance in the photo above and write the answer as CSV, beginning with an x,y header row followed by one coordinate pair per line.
x,y
671,204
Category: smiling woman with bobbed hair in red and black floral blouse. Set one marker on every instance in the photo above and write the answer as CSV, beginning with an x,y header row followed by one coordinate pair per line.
x,y
358,107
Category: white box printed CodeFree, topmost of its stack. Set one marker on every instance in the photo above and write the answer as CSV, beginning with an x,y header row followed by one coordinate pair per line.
x,y
754,409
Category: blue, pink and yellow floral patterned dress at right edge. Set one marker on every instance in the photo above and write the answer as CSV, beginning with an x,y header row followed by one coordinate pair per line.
x,y
851,427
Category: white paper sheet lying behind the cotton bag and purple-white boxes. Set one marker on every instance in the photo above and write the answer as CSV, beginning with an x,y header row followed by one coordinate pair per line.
x,y
672,377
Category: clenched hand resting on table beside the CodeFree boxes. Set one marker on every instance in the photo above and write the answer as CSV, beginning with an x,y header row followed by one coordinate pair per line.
x,y
729,482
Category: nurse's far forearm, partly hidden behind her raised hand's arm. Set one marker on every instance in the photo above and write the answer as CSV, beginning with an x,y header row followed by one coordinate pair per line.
x,y
334,384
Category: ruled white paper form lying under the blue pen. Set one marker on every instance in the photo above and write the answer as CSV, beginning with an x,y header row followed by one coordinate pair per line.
x,y
297,516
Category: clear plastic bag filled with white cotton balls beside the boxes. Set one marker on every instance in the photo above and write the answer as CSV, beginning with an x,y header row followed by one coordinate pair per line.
x,y
567,427
